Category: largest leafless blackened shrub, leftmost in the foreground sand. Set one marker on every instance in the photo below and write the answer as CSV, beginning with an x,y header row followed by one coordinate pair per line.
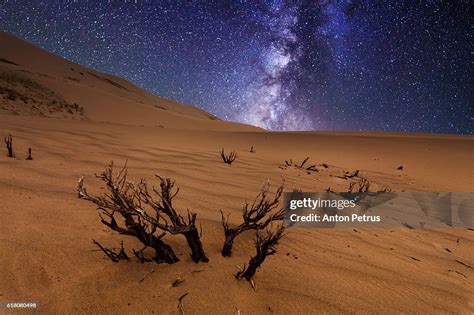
x,y
143,217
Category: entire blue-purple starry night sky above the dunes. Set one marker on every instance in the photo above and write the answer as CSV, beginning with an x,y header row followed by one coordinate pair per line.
x,y
282,65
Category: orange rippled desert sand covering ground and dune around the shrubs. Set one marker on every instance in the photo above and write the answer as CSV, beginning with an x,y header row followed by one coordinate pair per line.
x,y
46,231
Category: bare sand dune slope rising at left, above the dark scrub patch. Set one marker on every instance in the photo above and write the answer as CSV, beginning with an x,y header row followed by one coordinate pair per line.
x,y
104,97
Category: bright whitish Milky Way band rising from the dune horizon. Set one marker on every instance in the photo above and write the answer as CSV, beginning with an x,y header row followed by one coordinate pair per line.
x,y
267,101
